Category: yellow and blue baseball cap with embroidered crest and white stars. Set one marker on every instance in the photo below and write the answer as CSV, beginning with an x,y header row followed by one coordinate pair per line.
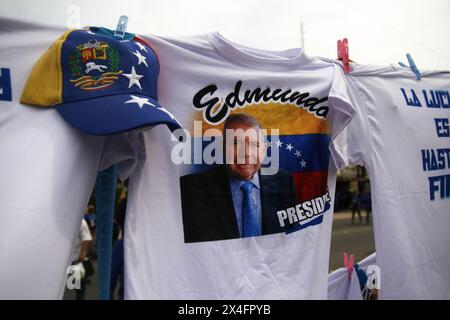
x,y
99,84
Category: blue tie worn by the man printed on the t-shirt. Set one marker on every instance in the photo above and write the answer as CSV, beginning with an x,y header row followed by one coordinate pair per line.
x,y
250,226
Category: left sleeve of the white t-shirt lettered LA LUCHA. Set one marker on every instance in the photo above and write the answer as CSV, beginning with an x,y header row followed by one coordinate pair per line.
x,y
351,145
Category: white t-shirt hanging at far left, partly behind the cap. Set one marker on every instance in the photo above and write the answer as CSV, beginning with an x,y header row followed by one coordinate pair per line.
x,y
47,170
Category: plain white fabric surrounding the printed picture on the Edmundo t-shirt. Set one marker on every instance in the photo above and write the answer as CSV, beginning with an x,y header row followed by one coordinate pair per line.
x,y
158,264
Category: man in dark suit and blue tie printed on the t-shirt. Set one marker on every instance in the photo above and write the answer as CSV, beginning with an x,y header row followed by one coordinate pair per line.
x,y
234,200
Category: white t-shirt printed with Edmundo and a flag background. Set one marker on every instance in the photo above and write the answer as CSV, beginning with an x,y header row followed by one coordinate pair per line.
x,y
169,251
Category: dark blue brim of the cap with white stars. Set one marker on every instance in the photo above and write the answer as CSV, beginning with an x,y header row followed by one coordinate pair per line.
x,y
115,114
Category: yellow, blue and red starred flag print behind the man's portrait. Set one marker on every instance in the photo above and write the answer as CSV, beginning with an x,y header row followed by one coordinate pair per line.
x,y
302,144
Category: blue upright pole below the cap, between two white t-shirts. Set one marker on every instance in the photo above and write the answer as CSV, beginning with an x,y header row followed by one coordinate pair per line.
x,y
105,191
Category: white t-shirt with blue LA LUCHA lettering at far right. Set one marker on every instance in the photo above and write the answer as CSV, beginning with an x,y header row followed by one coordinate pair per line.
x,y
401,135
